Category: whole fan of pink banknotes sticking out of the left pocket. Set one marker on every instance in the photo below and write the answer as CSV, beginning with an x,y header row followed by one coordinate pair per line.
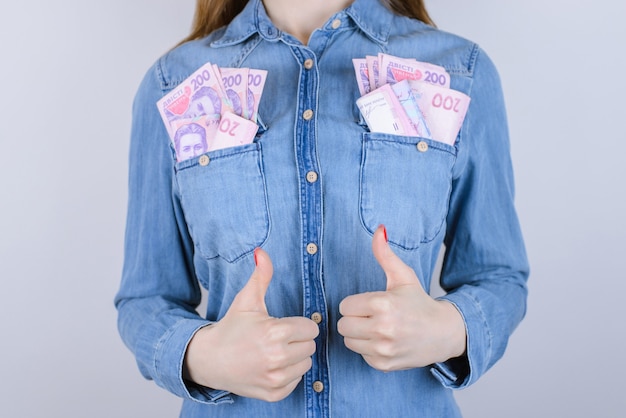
x,y
214,108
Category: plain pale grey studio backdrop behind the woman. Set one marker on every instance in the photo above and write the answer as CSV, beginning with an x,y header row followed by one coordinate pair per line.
x,y
69,70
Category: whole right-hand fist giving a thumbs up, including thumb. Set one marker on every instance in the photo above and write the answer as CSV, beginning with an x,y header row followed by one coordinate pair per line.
x,y
401,327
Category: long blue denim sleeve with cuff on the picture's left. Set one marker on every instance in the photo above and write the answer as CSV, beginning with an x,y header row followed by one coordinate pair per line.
x,y
159,291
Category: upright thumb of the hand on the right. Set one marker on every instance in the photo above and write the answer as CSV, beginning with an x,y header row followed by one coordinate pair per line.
x,y
397,272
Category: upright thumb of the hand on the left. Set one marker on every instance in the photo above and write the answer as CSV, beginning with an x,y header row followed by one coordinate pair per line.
x,y
252,297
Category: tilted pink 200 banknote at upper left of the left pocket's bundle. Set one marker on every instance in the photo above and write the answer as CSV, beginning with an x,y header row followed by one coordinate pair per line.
x,y
199,95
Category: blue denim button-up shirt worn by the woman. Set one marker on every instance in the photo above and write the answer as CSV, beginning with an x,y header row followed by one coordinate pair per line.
x,y
190,225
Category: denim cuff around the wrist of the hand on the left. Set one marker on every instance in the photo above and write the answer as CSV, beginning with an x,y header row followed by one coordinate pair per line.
x,y
169,358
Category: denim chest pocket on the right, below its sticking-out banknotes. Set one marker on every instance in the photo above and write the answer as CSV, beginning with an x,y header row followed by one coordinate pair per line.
x,y
405,185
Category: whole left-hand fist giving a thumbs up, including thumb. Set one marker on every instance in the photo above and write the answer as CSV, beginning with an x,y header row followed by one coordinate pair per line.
x,y
248,352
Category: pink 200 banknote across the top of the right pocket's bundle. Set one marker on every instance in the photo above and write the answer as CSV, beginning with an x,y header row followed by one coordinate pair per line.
x,y
393,69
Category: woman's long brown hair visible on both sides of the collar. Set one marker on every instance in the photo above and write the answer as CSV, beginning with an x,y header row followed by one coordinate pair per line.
x,y
213,14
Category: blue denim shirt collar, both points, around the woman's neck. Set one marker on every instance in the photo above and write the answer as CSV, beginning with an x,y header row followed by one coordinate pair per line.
x,y
372,17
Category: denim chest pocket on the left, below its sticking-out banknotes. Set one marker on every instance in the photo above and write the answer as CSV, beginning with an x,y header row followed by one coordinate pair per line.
x,y
224,199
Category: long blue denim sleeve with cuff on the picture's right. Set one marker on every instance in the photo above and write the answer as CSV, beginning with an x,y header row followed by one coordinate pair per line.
x,y
485,265
